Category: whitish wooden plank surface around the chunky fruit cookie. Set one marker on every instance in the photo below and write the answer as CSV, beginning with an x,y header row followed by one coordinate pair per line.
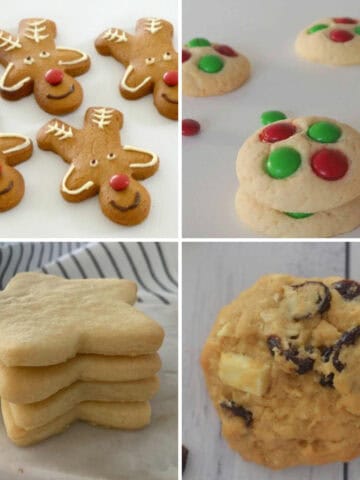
x,y
213,274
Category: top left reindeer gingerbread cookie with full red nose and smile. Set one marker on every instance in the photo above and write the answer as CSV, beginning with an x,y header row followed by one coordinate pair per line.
x,y
34,64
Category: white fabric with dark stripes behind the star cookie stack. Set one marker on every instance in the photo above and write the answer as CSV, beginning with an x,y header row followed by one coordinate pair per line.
x,y
153,266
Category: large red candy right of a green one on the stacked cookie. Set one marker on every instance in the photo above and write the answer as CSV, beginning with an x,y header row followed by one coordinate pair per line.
x,y
329,164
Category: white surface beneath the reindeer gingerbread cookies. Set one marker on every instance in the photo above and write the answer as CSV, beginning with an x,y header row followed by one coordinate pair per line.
x,y
43,212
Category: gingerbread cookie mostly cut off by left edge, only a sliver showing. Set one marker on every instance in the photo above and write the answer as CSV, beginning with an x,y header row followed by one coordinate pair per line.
x,y
14,149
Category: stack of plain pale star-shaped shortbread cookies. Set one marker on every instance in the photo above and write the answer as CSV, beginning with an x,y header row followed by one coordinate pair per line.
x,y
74,350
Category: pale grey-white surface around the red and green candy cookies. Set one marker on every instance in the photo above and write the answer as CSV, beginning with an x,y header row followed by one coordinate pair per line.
x,y
265,31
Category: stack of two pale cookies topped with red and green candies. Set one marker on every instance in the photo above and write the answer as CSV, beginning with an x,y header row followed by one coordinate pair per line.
x,y
300,178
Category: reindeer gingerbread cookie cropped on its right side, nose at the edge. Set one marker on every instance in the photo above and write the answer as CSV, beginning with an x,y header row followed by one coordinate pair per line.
x,y
151,62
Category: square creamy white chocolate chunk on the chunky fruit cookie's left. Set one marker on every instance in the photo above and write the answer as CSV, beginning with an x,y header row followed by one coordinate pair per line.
x,y
244,373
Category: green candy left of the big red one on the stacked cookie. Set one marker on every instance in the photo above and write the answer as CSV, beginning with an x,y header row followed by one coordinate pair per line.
x,y
282,162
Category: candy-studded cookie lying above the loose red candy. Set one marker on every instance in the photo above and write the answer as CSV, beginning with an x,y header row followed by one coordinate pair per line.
x,y
212,69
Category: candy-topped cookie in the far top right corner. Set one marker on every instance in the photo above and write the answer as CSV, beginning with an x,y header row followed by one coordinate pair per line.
x,y
332,41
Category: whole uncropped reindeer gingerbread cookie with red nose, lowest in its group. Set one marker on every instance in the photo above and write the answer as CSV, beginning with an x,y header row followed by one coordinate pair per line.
x,y
100,164
